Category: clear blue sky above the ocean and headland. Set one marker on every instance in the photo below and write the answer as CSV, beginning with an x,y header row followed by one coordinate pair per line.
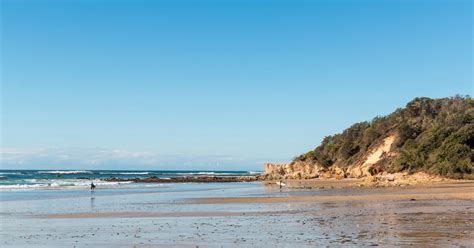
x,y
214,84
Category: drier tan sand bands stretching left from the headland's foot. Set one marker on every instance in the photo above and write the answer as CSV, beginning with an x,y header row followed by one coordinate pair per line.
x,y
443,191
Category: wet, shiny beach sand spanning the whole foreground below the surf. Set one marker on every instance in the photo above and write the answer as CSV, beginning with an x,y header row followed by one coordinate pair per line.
x,y
249,215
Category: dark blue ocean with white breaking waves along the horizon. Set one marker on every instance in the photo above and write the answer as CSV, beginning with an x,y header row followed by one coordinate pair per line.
x,y
77,179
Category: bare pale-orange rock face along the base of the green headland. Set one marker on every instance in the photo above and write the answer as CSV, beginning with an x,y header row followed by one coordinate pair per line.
x,y
368,166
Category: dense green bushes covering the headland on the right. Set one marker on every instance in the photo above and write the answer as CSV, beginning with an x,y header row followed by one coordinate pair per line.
x,y
432,135
